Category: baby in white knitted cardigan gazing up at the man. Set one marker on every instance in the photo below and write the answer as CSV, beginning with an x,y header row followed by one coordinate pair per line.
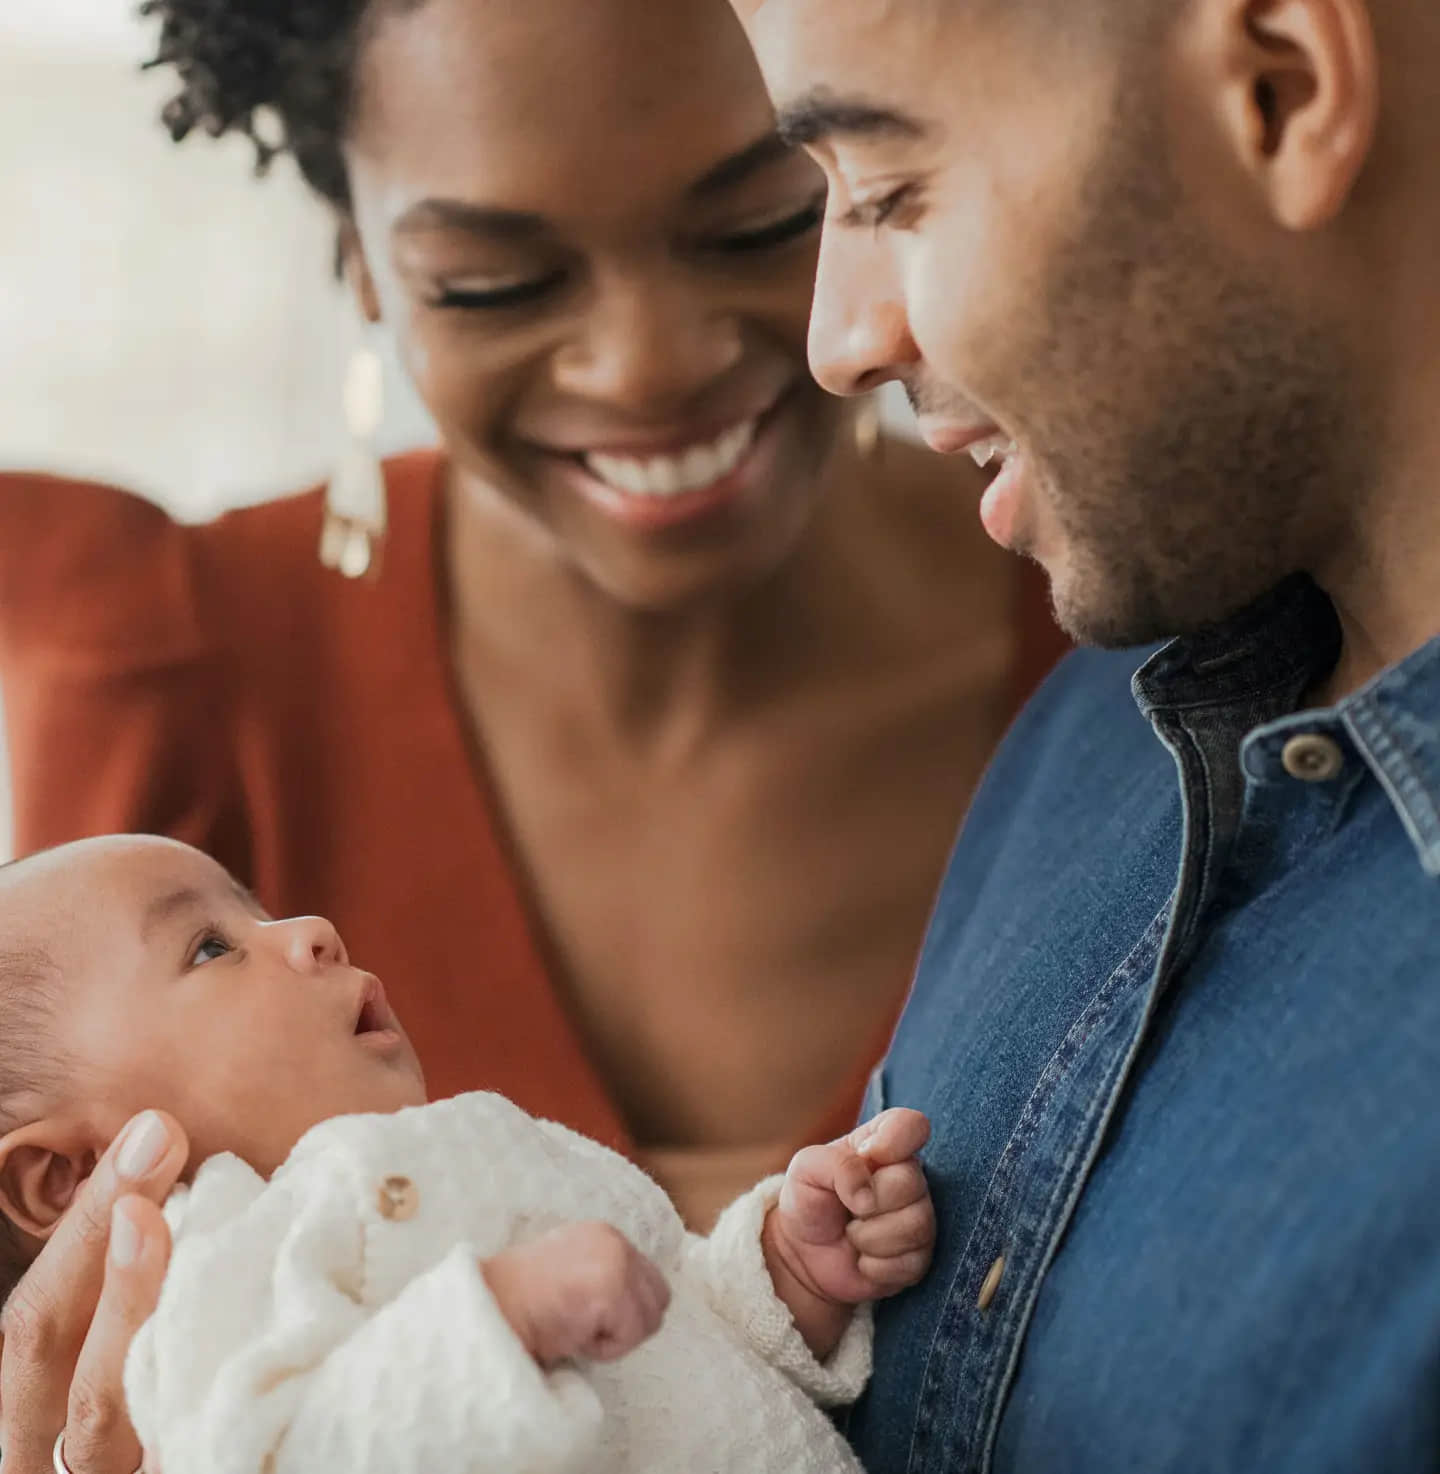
x,y
363,1282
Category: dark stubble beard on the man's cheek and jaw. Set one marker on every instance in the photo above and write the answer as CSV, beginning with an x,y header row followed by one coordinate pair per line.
x,y
1196,437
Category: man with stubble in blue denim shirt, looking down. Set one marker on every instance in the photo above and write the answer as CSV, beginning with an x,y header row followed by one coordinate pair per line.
x,y
1174,266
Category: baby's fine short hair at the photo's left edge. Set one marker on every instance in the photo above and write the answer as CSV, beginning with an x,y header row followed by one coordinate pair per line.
x,y
29,1065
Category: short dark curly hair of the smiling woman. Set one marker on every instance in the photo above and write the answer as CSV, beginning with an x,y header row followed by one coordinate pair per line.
x,y
278,71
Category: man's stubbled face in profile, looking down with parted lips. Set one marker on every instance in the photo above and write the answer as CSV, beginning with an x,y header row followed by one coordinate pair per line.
x,y
1032,228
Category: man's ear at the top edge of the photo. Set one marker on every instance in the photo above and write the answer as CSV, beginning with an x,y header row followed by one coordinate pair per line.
x,y
1301,99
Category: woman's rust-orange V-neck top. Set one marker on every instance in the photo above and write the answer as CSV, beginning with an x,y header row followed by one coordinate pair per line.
x,y
217,685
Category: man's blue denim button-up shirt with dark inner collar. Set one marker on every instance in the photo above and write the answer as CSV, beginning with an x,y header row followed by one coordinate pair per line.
x,y
1181,1047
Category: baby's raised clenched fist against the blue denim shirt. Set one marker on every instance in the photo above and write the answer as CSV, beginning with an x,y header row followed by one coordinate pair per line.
x,y
856,1221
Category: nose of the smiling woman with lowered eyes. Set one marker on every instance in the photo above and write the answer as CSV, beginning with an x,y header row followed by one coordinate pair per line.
x,y
649,347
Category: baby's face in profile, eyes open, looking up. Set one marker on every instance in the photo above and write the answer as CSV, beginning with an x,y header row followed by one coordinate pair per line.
x,y
178,993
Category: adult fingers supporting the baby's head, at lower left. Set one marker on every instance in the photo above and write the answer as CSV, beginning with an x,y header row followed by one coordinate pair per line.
x,y
66,1330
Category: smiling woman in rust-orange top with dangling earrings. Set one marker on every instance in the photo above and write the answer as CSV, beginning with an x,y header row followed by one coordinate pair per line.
x,y
635,767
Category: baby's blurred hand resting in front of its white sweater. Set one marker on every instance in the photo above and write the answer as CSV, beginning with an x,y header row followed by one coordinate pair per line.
x,y
581,1290
